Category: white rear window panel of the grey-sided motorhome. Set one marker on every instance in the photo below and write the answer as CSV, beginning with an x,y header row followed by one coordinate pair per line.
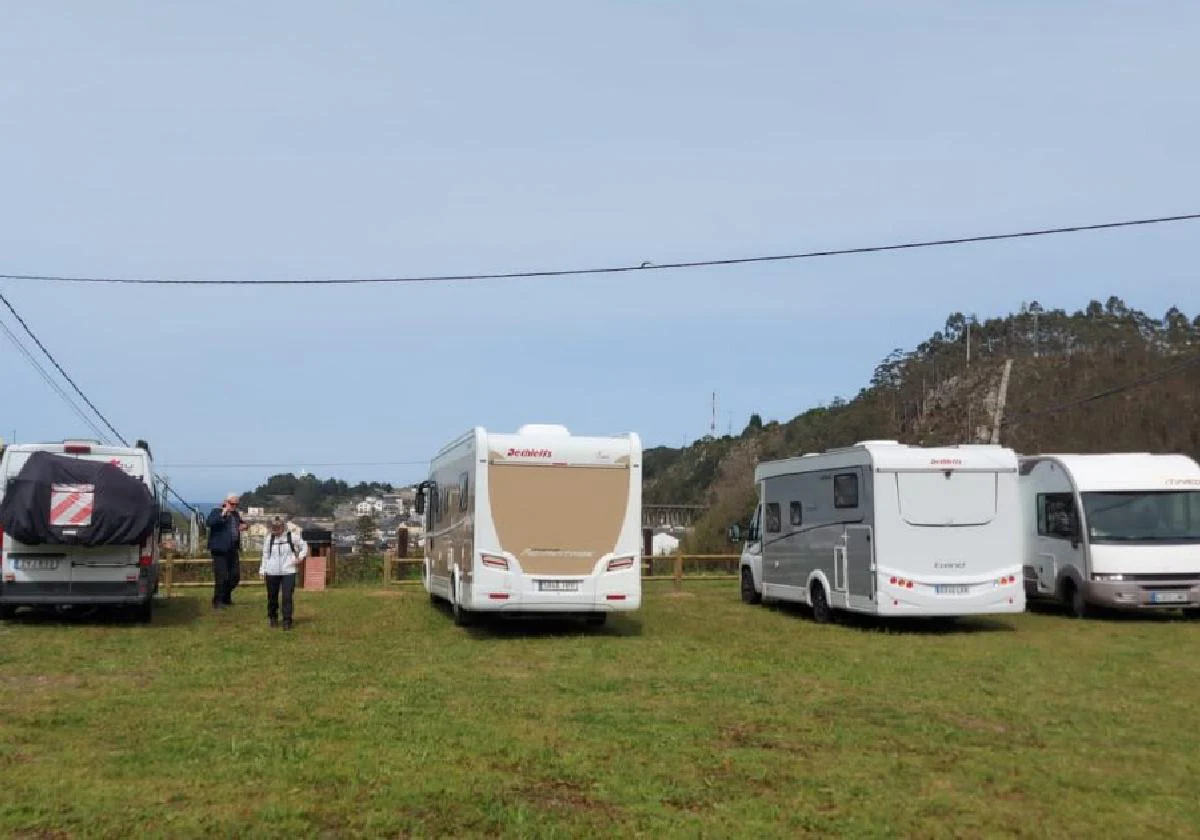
x,y
947,499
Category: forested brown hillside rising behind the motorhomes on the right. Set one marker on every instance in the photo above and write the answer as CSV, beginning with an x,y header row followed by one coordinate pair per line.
x,y
1103,379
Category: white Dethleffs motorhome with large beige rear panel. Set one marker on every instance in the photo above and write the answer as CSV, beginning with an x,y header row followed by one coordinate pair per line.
x,y
541,521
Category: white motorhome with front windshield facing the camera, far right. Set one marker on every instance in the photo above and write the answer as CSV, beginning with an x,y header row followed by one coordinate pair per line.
x,y
1117,530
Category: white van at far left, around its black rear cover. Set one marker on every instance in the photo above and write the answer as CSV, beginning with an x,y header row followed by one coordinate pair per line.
x,y
51,575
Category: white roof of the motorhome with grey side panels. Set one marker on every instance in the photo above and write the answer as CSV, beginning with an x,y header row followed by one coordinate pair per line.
x,y
887,455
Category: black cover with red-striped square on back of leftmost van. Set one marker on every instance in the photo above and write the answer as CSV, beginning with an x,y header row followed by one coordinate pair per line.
x,y
63,501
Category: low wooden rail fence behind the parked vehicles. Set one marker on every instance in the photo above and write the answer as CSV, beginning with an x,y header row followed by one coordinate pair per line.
x,y
409,571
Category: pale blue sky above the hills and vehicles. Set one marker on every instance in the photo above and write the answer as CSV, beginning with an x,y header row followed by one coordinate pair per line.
x,y
308,140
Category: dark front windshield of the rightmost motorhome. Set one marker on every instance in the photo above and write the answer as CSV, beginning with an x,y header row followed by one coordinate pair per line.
x,y
1154,517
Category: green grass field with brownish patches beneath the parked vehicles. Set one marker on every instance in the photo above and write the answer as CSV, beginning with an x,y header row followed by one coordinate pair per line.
x,y
700,717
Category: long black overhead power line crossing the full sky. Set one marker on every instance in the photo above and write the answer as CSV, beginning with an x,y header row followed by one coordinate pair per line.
x,y
614,269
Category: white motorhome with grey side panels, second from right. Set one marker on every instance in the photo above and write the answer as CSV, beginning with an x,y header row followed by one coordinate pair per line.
x,y
887,530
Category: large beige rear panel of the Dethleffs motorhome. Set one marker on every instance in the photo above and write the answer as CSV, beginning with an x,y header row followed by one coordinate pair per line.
x,y
559,520
